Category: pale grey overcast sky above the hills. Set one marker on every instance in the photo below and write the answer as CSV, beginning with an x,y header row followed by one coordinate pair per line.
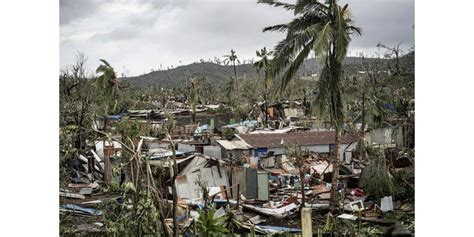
x,y
138,35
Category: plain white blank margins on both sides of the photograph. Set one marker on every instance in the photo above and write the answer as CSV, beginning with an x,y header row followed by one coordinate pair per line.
x,y
29,99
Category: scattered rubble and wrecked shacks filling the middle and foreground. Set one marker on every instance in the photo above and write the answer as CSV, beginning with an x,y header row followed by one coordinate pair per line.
x,y
250,175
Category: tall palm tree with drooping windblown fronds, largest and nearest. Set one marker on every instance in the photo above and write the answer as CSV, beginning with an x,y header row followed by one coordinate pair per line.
x,y
326,29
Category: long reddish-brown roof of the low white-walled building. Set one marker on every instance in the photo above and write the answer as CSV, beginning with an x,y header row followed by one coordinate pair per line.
x,y
300,138
